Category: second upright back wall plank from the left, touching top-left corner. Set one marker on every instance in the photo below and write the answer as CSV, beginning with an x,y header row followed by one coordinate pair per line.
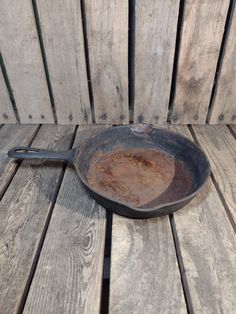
x,y
22,56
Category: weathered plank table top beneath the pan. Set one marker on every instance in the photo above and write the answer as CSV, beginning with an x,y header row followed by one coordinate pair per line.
x,y
61,252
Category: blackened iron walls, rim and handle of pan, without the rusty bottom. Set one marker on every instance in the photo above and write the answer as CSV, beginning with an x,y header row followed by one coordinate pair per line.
x,y
134,136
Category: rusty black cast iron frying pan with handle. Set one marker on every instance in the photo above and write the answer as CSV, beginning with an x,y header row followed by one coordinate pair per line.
x,y
138,171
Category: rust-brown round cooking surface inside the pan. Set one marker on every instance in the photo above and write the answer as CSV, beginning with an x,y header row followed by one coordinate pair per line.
x,y
139,177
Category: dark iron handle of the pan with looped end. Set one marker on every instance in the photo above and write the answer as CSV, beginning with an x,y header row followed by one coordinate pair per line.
x,y
37,153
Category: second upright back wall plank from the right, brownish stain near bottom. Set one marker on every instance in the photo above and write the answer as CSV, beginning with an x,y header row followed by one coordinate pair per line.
x,y
201,38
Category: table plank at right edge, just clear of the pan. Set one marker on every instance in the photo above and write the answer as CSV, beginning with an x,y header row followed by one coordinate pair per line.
x,y
220,147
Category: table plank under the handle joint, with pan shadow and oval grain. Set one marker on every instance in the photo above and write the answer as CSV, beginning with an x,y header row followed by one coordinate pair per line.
x,y
74,243
